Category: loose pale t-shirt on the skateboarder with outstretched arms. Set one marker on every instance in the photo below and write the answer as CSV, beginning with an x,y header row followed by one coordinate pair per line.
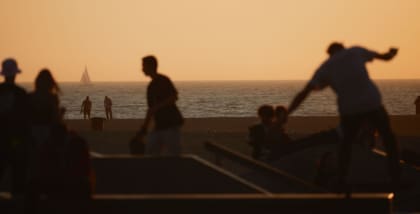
x,y
347,75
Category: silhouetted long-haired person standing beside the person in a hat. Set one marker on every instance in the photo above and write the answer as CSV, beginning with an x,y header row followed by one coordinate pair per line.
x,y
58,157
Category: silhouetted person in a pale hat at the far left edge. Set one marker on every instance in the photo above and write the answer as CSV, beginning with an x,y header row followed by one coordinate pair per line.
x,y
13,126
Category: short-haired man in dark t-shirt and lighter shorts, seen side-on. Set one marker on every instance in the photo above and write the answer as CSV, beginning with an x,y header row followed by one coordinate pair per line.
x,y
161,101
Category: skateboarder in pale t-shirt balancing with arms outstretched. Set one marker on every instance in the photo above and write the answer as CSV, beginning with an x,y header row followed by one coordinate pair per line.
x,y
359,102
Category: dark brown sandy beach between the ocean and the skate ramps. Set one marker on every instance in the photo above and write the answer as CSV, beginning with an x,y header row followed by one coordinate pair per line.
x,y
114,137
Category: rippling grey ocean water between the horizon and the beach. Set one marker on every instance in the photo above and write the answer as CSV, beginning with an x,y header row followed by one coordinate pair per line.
x,y
225,98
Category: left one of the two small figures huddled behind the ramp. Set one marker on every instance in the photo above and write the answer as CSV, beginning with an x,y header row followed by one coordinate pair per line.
x,y
257,133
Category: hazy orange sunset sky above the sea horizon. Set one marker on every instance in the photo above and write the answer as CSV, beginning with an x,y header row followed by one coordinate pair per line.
x,y
204,39
